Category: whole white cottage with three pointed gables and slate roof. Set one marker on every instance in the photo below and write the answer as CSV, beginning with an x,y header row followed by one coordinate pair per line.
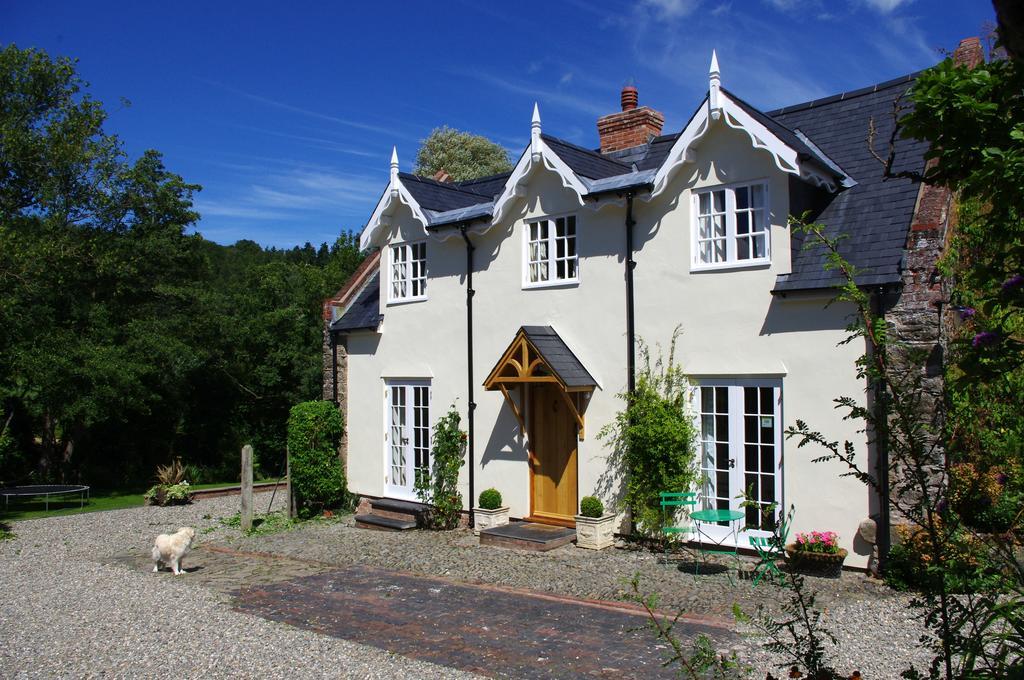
x,y
519,299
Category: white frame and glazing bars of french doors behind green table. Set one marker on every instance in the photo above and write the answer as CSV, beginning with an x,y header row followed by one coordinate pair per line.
x,y
737,443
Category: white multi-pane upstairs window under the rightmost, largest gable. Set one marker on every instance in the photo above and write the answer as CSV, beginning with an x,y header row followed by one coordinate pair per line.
x,y
732,226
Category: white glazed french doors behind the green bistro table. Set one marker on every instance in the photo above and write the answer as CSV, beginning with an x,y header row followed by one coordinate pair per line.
x,y
741,455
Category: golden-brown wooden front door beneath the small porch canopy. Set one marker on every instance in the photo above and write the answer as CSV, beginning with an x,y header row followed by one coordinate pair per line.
x,y
553,456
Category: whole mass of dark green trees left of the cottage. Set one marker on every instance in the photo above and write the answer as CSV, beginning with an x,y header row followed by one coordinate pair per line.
x,y
123,339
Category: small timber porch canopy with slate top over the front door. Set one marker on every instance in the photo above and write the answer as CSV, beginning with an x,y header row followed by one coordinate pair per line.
x,y
538,355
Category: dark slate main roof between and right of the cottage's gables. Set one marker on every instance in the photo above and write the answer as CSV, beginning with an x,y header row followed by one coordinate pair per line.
x,y
874,214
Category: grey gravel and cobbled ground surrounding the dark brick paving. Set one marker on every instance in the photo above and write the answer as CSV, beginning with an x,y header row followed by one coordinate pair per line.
x,y
79,601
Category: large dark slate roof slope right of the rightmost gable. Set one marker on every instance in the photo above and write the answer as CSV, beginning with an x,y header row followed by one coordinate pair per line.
x,y
875,215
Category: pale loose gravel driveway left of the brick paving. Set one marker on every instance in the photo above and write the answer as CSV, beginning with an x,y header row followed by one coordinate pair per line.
x,y
67,615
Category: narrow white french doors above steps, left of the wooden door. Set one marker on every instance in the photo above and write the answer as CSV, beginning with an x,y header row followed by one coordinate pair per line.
x,y
407,440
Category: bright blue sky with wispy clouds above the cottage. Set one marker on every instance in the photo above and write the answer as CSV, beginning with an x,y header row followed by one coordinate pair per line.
x,y
286,112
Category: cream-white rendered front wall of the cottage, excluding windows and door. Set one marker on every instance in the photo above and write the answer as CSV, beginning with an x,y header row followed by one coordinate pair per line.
x,y
732,327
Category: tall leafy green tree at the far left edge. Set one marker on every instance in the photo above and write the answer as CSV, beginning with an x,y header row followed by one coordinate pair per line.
x,y
95,263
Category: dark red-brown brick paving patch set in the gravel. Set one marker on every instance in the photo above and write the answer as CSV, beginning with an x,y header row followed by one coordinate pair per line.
x,y
493,631
